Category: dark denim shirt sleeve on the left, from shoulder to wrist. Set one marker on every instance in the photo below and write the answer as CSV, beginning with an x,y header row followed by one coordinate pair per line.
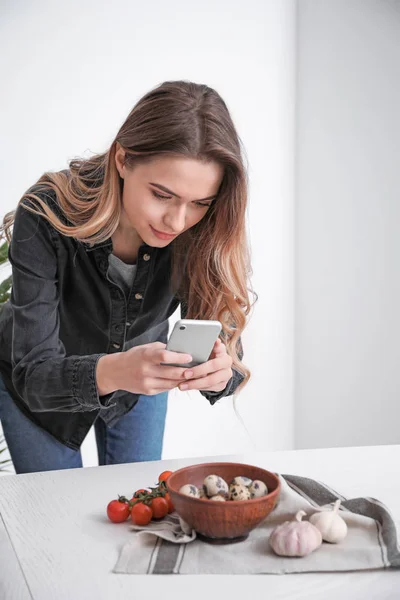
x,y
43,376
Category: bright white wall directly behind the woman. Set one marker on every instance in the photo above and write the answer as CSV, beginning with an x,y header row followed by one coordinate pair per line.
x,y
70,74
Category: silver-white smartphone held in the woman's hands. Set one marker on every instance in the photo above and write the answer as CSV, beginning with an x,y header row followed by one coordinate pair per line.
x,y
194,337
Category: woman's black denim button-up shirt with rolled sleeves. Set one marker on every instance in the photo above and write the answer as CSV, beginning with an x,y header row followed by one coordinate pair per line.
x,y
64,314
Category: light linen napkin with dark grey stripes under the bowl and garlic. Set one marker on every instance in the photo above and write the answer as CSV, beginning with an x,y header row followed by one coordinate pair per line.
x,y
169,547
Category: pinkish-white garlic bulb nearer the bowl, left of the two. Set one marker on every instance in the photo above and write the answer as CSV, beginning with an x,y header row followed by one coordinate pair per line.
x,y
295,538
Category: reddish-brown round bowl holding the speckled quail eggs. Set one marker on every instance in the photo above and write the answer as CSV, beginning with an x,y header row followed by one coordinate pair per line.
x,y
222,522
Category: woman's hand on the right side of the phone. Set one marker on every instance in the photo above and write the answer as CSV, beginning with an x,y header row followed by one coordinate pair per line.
x,y
211,376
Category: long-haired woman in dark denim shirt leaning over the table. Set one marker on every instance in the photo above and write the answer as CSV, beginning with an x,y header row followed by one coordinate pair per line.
x,y
102,255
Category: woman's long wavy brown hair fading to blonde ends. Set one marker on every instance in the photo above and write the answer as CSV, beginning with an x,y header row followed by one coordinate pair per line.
x,y
176,118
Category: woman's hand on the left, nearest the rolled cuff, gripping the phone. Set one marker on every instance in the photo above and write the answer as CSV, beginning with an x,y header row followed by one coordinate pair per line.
x,y
139,370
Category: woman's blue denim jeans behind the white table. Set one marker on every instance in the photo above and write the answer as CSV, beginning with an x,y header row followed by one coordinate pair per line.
x,y
138,436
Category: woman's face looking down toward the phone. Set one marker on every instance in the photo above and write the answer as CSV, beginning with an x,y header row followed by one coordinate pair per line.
x,y
163,198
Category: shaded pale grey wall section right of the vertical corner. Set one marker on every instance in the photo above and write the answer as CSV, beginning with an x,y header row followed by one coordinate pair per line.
x,y
347,225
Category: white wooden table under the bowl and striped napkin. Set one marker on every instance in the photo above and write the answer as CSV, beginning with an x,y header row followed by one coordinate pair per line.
x,y
56,542
